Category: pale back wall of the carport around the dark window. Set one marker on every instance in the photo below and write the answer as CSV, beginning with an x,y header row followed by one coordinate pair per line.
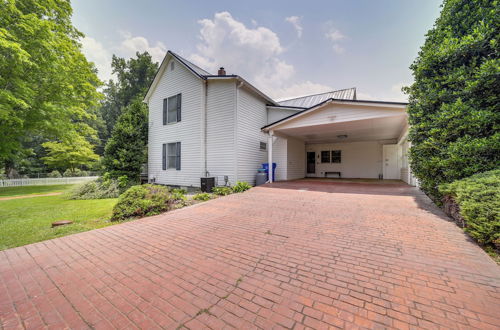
x,y
359,159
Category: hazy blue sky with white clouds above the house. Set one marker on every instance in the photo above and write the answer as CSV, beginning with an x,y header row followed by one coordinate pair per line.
x,y
286,48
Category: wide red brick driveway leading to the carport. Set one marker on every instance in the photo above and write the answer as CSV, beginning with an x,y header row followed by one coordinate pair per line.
x,y
292,255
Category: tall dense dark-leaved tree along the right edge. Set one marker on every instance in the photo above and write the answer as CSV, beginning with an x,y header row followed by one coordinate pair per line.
x,y
454,101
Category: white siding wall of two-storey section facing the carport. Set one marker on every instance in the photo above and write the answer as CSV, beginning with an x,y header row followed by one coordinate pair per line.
x,y
251,116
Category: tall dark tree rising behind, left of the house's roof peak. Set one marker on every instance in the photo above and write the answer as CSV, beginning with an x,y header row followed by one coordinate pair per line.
x,y
134,76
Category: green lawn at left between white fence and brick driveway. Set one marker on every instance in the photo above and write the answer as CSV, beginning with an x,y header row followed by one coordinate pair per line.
x,y
28,220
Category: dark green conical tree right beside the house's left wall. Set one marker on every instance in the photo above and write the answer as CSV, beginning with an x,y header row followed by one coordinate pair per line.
x,y
126,150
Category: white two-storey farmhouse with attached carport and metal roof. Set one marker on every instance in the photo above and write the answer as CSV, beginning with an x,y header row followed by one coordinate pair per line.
x,y
221,126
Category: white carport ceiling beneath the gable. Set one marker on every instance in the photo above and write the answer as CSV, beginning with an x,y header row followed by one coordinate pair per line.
x,y
385,128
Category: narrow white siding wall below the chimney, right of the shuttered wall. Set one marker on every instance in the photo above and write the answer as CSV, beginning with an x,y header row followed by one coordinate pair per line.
x,y
221,110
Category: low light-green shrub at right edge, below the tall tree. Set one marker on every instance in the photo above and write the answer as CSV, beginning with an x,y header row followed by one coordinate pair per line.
x,y
479,200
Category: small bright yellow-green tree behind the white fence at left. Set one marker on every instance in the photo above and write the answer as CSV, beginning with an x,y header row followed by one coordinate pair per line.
x,y
70,153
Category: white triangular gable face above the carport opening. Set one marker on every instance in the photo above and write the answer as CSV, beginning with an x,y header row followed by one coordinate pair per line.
x,y
335,113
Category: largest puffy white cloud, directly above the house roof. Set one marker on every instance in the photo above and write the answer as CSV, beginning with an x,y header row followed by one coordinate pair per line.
x,y
252,52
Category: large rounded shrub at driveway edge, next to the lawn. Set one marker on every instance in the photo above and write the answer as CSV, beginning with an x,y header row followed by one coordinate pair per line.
x,y
145,200
